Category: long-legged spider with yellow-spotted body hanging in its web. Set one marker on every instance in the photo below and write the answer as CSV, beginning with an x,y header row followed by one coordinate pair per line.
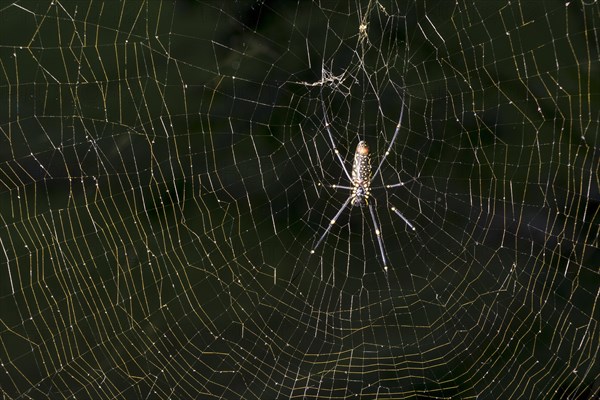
x,y
360,183
